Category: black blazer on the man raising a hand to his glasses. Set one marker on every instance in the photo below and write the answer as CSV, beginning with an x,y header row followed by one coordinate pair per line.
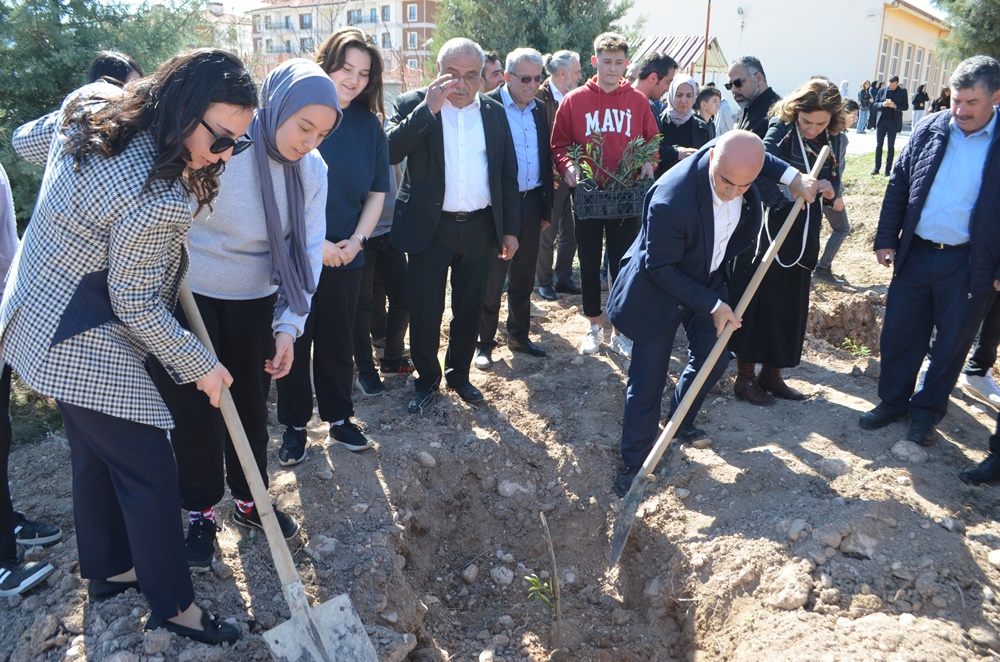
x,y
415,134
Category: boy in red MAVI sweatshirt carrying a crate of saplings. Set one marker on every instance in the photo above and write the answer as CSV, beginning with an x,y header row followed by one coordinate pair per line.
x,y
608,104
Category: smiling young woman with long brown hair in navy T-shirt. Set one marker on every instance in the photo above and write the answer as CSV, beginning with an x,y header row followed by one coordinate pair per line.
x,y
358,158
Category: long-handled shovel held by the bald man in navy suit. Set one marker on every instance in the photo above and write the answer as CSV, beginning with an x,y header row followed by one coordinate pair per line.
x,y
630,504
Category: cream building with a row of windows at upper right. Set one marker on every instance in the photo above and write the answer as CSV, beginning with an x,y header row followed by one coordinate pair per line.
x,y
852,40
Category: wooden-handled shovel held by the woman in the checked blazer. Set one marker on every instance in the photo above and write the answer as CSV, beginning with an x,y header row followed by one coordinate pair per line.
x,y
330,631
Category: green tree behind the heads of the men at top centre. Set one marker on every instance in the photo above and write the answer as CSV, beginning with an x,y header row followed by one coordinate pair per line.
x,y
554,24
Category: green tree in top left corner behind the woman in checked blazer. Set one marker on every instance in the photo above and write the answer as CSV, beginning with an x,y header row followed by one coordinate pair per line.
x,y
46,47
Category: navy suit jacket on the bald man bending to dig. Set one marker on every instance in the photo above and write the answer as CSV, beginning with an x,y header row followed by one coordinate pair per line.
x,y
666,270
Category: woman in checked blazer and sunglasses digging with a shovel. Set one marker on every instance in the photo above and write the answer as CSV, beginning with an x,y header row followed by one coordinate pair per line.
x,y
88,304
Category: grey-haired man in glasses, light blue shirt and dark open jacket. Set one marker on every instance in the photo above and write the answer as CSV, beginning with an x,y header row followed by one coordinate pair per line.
x,y
529,129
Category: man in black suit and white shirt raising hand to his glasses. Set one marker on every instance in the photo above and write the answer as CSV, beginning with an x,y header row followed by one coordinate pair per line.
x,y
457,207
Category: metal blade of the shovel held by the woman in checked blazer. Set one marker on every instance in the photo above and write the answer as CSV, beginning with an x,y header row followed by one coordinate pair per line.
x,y
342,636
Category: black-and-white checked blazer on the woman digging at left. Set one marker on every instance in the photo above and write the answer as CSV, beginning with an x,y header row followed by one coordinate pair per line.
x,y
90,294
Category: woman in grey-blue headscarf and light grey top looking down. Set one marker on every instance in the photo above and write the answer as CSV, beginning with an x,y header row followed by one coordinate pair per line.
x,y
255,261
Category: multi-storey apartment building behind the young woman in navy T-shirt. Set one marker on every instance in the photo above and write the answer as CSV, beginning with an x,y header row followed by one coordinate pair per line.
x,y
402,29
